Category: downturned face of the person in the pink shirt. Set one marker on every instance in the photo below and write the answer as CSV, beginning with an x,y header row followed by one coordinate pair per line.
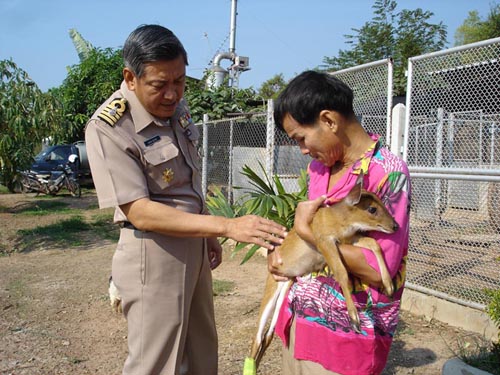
x,y
317,140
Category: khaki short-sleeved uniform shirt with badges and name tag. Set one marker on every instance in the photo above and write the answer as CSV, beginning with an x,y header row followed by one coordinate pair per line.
x,y
142,156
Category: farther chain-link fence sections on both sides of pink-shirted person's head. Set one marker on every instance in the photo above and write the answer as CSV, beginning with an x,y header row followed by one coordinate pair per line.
x,y
253,140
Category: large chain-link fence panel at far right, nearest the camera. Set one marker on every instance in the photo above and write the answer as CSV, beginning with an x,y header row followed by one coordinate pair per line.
x,y
452,149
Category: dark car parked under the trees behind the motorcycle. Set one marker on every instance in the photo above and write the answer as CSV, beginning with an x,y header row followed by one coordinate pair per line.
x,y
51,157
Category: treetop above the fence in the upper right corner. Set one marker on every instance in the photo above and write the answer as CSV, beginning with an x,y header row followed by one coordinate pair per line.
x,y
473,29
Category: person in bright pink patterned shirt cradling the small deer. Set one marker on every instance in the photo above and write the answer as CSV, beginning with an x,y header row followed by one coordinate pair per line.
x,y
316,110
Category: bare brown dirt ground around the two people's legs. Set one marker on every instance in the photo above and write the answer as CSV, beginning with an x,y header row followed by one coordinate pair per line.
x,y
55,316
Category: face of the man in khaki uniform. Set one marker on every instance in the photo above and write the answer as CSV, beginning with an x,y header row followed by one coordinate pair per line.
x,y
161,86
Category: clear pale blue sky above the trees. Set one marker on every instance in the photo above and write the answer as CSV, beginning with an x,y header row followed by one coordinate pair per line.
x,y
278,36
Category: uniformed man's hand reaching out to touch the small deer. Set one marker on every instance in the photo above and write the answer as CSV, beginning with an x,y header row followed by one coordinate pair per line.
x,y
257,230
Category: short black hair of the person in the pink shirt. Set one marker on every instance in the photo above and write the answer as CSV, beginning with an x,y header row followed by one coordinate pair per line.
x,y
308,94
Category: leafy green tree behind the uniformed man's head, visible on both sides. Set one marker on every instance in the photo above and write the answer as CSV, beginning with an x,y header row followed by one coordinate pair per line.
x,y
94,79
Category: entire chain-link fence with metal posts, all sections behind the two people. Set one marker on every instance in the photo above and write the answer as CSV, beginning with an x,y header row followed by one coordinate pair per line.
x,y
451,144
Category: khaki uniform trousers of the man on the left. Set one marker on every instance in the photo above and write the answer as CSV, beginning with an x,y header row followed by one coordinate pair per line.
x,y
166,289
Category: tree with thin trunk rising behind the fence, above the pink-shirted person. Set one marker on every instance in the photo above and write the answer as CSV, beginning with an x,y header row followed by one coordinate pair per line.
x,y
390,34
